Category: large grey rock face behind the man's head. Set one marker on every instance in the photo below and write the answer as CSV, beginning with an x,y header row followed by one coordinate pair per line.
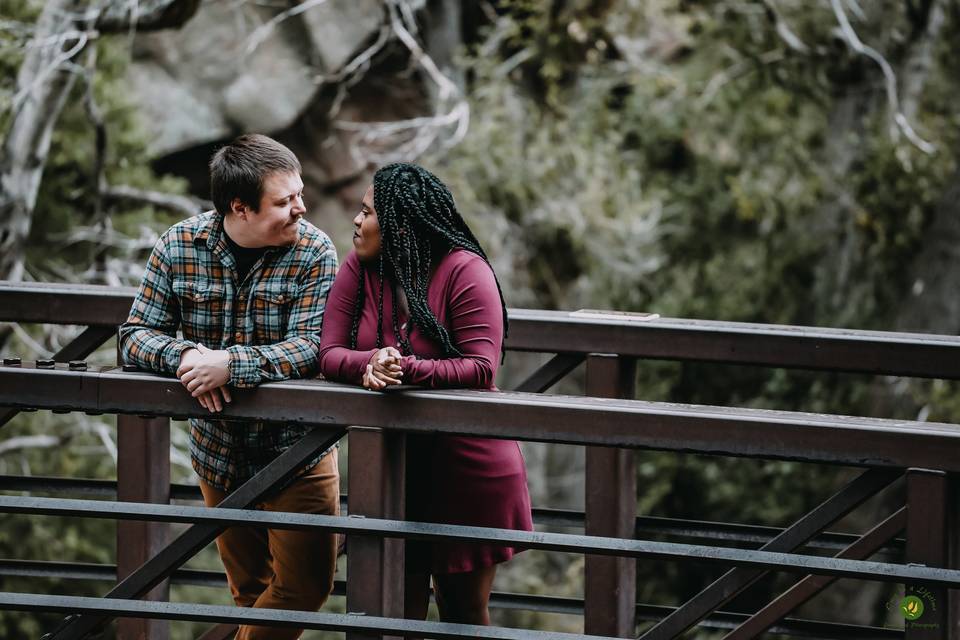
x,y
289,70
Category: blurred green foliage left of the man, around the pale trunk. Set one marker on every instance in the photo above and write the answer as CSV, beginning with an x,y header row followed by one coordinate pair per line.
x,y
65,202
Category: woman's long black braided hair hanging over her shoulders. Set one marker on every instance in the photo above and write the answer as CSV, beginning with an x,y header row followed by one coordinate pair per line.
x,y
419,224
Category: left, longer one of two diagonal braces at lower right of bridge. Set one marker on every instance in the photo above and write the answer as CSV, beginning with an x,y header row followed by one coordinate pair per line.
x,y
725,588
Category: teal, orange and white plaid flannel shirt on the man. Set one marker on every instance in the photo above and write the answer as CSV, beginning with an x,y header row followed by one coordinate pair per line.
x,y
269,323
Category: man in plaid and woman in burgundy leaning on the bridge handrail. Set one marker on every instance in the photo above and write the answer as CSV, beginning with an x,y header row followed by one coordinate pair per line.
x,y
255,291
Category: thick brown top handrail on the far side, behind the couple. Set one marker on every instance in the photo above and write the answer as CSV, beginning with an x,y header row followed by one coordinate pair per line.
x,y
875,352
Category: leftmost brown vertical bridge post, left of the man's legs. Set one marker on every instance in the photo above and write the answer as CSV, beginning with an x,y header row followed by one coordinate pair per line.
x,y
143,475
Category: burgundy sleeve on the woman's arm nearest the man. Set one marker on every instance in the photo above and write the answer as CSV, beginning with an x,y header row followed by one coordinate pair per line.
x,y
337,360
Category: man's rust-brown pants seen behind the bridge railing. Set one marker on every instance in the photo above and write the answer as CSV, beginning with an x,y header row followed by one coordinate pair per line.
x,y
274,569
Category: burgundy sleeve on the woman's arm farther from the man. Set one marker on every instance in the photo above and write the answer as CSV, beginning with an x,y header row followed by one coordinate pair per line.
x,y
476,328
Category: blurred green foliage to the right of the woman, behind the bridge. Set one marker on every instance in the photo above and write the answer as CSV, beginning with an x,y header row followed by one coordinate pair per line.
x,y
685,158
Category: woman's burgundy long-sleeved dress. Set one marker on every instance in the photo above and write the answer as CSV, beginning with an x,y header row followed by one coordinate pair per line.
x,y
451,479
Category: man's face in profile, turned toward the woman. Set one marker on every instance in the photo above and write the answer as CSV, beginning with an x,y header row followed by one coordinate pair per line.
x,y
276,223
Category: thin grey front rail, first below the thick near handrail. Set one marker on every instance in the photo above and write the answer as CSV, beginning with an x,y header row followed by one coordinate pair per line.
x,y
567,543
